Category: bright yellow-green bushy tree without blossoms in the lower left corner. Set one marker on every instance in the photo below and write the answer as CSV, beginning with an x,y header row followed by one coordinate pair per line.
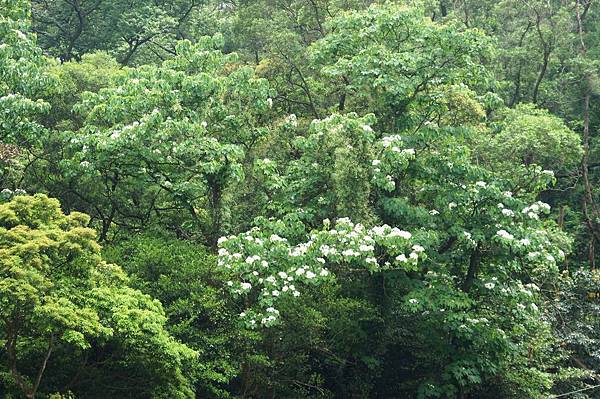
x,y
57,295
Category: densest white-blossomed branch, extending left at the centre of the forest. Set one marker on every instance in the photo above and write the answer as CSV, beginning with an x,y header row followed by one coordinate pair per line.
x,y
274,269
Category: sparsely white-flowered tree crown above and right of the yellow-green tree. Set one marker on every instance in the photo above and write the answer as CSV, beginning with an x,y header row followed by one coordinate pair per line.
x,y
167,141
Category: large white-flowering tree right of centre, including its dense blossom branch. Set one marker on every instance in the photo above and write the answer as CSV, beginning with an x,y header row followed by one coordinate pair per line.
x,y
478,243
